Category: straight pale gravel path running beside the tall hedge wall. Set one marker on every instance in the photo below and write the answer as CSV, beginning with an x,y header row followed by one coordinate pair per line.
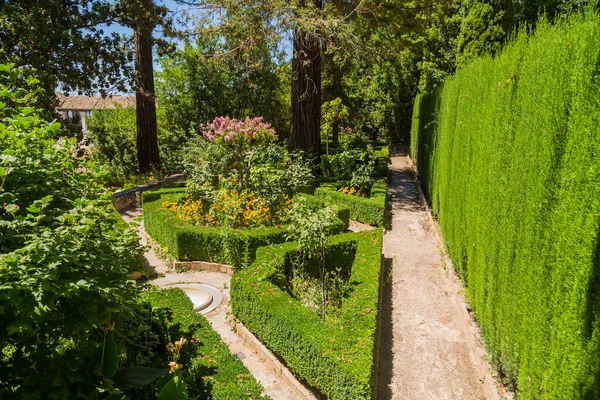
x,y
430,348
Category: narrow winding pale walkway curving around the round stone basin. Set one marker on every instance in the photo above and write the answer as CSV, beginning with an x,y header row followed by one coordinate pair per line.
x,y
274,387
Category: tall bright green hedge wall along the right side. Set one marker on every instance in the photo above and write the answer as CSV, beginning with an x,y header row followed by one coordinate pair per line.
x,y
508,151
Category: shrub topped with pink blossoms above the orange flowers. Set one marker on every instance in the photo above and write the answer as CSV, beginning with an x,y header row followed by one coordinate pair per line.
x,y
241,140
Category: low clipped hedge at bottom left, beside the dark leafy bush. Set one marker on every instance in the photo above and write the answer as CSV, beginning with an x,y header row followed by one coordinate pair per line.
x,y
209,366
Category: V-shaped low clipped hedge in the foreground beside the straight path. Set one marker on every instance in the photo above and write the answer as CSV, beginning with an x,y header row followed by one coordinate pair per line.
x,y
335,356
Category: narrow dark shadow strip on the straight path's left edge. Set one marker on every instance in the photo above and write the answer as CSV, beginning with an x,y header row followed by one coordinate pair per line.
x,y
385,359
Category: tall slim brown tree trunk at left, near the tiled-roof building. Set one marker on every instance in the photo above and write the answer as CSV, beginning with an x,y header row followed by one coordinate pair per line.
x,y
145,100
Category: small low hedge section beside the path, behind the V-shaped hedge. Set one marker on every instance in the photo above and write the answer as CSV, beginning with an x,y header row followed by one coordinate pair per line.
x,y
369,210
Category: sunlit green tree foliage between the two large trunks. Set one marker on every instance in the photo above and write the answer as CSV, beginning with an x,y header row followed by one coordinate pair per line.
x,y
214,77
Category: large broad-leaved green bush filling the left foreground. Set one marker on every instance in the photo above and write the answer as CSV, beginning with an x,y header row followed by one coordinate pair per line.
x,y
64,259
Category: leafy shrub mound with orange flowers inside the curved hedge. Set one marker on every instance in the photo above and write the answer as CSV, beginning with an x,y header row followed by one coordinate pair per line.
x,y
241,180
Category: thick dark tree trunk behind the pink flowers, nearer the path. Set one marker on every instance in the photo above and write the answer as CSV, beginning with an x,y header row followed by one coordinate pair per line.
x,y
306,92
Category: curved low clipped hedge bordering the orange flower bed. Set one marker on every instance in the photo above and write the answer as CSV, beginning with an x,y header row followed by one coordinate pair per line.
x,y
185,241
